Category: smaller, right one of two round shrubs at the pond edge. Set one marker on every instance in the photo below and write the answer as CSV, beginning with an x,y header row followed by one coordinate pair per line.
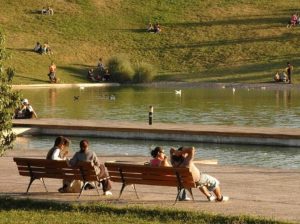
x,y
144,73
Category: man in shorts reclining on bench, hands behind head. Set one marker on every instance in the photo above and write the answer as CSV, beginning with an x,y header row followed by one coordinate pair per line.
x,y
183,157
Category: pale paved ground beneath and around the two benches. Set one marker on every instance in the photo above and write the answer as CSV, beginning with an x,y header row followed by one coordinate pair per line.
x,y
271,193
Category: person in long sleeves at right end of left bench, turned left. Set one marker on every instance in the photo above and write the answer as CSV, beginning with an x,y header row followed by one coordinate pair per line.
x,y
84,154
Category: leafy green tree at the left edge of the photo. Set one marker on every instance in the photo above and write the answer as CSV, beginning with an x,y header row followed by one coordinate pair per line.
x,y
9,101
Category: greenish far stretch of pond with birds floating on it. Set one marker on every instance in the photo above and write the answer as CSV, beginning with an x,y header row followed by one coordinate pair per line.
x,y
210,106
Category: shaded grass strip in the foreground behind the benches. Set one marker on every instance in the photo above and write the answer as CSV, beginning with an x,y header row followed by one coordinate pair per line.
x,y
28,211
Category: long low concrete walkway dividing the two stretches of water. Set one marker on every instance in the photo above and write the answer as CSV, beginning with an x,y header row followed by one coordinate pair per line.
x,y
159,131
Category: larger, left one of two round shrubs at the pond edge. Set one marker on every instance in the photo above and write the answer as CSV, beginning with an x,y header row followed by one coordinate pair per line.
x,y
120,69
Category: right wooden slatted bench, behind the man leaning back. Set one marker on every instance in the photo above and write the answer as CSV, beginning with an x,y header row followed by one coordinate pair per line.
x,y
132,174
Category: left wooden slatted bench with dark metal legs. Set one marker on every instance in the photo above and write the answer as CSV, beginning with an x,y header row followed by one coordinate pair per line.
x,y
38,169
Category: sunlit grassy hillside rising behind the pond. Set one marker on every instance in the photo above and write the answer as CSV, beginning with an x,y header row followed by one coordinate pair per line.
x,y
216,41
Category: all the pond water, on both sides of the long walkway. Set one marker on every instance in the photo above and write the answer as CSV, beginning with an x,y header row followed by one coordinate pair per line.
x,y
215,106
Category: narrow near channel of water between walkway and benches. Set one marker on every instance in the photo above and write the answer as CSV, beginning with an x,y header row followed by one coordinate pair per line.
x,y
263,156
